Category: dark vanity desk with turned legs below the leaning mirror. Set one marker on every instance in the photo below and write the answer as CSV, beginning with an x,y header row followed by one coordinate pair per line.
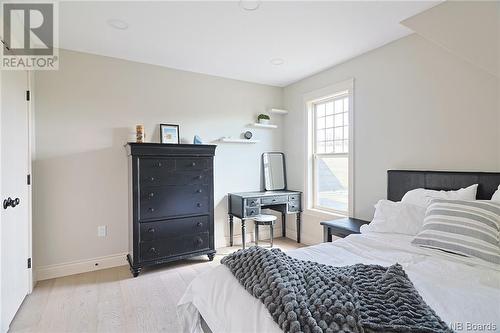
x,y
246,205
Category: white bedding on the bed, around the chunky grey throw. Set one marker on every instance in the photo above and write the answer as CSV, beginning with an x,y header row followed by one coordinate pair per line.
x,y
460,290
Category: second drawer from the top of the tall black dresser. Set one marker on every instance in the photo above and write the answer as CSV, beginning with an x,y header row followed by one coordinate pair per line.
x,y
159,178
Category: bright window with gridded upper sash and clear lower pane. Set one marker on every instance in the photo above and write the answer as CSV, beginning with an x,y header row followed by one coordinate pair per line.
x,y
330,145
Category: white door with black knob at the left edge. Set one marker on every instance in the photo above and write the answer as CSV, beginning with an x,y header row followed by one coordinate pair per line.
x,y
14,221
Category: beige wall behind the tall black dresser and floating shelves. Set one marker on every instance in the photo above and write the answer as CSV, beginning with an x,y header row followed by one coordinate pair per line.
x,y
85,113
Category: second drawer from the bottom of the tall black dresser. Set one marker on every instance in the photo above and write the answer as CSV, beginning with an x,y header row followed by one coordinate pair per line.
x,y
172,228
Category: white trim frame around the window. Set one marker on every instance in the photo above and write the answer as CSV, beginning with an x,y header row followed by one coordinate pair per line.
x,y
309,100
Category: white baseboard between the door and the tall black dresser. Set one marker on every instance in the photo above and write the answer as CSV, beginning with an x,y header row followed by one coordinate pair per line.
x,y
82,266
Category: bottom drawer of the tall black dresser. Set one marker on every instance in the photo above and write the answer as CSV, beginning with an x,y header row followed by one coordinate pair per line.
x,y
158,249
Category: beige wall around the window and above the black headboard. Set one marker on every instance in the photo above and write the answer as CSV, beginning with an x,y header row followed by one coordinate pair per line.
x,y
416,106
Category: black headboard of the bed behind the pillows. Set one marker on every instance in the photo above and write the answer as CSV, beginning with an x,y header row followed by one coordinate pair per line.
x,y
401,181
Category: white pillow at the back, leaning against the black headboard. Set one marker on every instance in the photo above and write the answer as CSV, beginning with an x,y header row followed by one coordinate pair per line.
x,y
422,197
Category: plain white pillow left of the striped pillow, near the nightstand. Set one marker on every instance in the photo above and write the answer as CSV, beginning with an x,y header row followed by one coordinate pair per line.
x,y
396,217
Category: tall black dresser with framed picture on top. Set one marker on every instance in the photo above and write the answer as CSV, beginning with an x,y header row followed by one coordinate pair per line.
x,y
171,203
